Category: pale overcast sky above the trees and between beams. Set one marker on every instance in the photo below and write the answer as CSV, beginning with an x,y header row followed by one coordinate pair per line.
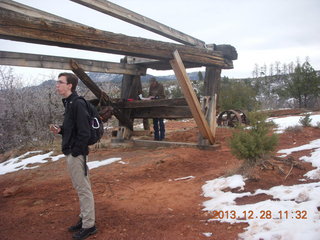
x,y
263,31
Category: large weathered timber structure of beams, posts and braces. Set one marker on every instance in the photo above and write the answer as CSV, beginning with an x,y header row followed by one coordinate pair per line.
x,y
19,22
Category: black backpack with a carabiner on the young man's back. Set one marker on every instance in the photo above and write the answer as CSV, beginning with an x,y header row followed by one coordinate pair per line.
x,y
96,124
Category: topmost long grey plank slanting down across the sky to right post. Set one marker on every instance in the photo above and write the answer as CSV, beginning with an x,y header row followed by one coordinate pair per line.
x,y
141,21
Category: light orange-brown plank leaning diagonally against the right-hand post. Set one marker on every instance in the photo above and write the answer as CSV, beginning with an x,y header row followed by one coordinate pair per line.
x,y
191,97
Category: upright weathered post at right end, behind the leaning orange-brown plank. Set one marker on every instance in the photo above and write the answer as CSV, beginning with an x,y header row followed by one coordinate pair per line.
x,y
211,93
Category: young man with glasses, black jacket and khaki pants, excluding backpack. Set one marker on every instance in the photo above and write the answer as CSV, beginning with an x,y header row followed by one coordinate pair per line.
x,y
75,132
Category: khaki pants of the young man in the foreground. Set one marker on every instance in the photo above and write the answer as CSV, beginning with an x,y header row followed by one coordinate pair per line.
x,y
81,183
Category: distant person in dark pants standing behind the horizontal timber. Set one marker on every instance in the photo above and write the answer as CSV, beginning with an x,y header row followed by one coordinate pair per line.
x,y
156,91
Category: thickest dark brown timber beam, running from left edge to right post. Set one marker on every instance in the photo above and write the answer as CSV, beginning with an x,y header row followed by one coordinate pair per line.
x,y
15,25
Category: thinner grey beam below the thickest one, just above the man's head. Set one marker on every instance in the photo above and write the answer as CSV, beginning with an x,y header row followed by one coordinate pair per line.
x,y
53,62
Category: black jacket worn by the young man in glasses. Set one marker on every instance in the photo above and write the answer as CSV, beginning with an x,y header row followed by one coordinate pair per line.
x,y
75,129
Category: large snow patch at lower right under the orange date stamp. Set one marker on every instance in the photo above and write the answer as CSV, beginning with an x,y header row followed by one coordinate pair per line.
x,y
293,215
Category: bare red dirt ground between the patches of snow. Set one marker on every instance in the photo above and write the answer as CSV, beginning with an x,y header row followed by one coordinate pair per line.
x,y
140,199
